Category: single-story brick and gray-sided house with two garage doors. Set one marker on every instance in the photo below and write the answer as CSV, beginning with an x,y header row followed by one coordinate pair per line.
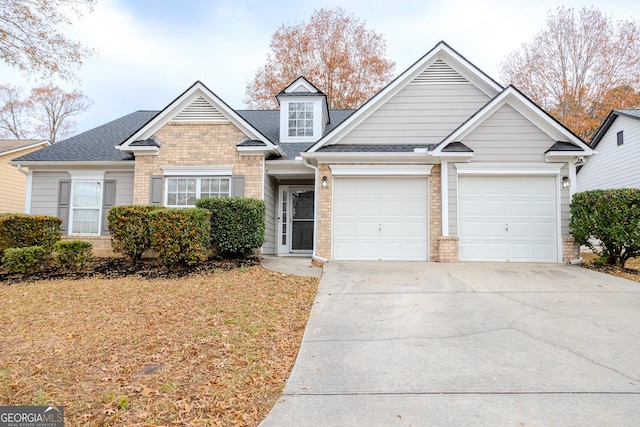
x,y
443,164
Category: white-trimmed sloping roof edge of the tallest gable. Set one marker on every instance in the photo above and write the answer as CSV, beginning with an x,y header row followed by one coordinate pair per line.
x,y
434,57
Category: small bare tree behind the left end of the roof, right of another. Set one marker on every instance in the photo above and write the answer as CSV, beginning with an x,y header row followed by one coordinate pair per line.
x,y
52,110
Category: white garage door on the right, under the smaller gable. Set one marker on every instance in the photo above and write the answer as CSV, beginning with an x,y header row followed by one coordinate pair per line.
x,y
510,218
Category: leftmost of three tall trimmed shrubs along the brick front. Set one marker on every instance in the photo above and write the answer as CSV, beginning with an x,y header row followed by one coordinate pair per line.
x,y
129,228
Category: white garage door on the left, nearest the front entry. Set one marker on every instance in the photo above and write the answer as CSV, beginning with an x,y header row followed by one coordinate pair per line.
x,y
380,219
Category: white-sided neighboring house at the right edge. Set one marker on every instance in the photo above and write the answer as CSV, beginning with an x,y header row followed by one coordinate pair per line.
x,y
617,143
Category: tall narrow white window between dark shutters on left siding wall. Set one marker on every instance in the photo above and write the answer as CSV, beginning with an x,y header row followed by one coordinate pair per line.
x,y
86,202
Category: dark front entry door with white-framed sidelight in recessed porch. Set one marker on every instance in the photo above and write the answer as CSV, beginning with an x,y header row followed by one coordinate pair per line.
x,y
296,219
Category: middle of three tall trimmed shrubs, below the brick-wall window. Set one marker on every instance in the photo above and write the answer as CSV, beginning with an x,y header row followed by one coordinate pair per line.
x,y
180,236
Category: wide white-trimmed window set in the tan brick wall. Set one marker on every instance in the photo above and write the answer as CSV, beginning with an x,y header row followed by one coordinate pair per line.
x,y
183,192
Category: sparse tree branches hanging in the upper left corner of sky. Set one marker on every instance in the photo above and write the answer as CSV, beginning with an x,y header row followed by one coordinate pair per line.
x,y
31,40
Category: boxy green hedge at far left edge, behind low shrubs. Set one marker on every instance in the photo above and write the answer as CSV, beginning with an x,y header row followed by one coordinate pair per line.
x,y
19,231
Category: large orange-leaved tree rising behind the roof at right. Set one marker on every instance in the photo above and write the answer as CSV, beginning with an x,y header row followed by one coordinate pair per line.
x,y
579,68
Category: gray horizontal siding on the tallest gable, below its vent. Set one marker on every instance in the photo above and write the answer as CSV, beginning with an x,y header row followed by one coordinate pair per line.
x,y
421,113
